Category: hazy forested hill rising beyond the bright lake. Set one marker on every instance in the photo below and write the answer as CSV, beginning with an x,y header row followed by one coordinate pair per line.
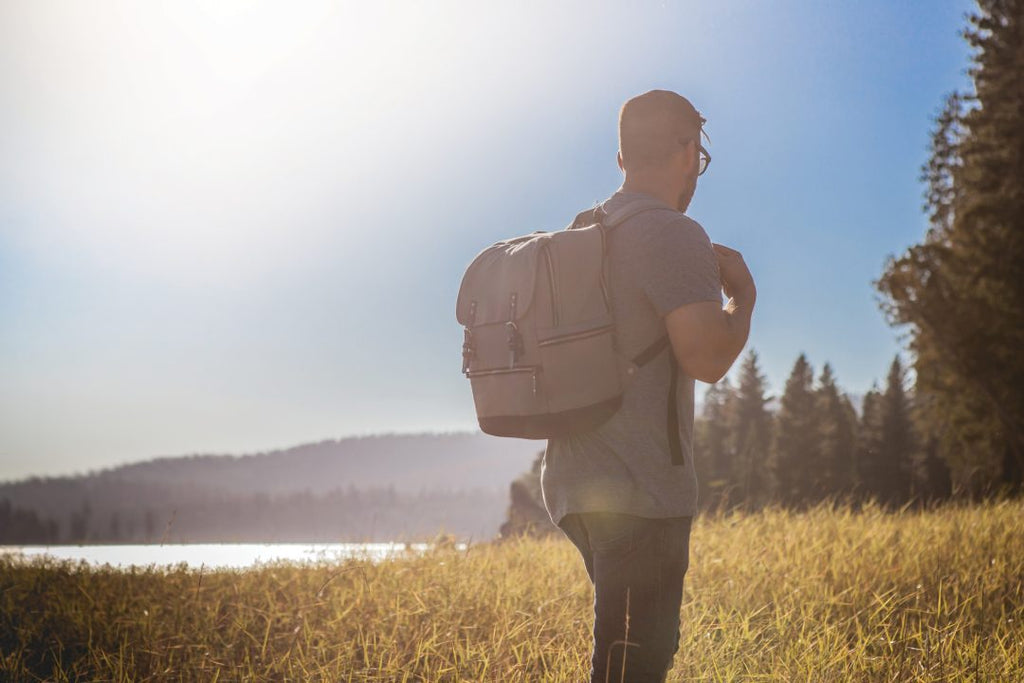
x,y
376,488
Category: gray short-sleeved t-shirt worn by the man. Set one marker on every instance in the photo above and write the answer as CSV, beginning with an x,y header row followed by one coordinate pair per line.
x,y
659,262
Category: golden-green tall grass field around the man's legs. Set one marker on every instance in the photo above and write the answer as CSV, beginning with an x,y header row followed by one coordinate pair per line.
x,y
775,596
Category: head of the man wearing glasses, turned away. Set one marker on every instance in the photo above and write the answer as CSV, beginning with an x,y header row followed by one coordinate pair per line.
x,y
660,144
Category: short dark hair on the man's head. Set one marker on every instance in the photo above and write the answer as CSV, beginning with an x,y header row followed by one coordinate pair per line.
x,y
652,124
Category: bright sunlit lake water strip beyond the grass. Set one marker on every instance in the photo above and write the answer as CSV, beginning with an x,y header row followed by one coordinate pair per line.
x,y
220,557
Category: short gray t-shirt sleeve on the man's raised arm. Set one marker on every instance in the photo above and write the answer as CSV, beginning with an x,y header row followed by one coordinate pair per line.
x,y
681,268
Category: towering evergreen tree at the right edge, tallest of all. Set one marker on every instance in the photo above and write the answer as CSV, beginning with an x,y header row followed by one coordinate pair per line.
x,y
962,290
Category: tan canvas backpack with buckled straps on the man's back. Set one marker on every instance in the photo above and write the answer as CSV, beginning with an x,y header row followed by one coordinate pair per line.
x,y
539,345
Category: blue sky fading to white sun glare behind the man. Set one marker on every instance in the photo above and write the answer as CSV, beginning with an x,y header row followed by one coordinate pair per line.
x,y
233,226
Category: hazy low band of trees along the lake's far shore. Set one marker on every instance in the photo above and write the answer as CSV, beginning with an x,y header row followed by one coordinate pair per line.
x,y
179,516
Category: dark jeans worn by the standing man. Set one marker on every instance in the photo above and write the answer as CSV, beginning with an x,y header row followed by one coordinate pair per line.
x,y
637,568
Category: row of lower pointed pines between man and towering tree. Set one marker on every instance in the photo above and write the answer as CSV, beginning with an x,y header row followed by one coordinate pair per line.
x,y
814,446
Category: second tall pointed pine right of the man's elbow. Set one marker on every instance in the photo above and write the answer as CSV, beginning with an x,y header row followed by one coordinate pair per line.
x,y
796,442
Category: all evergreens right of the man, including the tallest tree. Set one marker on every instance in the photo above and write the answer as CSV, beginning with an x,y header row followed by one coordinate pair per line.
x,y
952,423
